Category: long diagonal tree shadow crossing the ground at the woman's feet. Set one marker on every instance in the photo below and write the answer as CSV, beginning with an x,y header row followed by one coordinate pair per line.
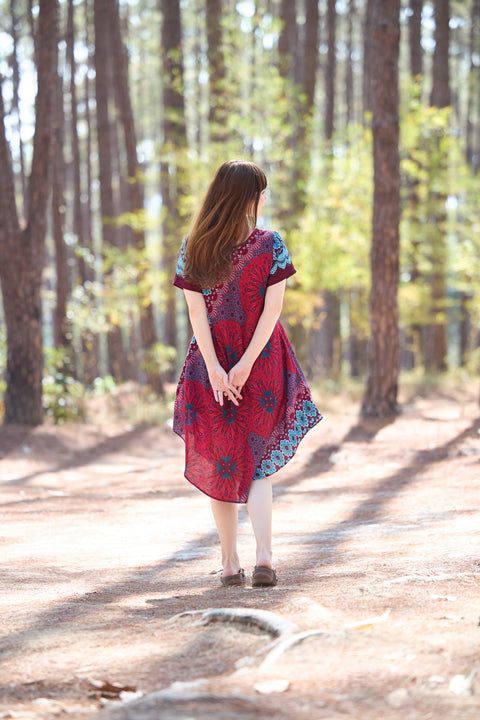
x,y
156,578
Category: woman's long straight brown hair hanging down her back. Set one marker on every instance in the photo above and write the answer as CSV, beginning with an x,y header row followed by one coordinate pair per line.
x,y
227,216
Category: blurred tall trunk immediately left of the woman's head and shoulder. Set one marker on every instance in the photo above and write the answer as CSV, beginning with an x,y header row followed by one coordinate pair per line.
x,y
172,170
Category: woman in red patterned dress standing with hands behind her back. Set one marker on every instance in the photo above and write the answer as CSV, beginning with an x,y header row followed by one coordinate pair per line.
x,y
242,404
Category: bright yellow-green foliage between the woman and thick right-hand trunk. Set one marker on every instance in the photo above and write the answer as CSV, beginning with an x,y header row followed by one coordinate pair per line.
x,y
331,246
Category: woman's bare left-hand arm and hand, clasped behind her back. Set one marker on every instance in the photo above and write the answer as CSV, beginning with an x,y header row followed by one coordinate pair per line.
x,y
197,311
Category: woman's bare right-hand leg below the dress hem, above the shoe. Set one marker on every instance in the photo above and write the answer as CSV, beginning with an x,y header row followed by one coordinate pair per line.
x,y
259,507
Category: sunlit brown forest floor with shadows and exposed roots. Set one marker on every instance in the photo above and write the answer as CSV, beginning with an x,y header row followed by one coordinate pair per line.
x,y
110,562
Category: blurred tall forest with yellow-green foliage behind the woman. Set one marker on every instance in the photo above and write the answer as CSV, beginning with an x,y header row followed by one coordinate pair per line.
x,y
147,98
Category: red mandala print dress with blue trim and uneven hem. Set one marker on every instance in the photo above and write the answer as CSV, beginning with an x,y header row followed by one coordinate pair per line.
x,y
226,448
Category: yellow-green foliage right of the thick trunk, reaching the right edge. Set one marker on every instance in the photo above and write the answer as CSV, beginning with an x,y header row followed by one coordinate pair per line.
x,y
440,218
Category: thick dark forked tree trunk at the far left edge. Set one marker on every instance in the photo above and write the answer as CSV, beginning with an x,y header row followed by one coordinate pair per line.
x,y
22,251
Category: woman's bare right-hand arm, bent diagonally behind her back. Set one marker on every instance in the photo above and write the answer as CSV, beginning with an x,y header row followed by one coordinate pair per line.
x,y
240,372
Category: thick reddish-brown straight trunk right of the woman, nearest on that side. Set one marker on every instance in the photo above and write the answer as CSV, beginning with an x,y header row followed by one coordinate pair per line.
x,y
380,397
